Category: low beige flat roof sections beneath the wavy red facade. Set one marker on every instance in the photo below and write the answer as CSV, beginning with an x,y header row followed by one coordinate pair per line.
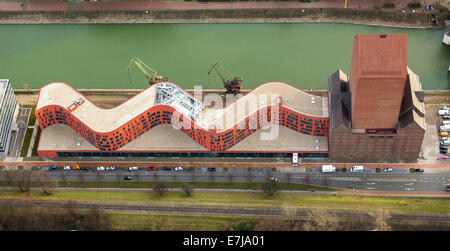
x,y
165,138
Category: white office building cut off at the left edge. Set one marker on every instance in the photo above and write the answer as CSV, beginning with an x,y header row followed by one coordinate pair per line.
x,y
8,112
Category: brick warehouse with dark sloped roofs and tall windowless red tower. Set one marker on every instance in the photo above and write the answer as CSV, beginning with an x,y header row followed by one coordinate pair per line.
x,y
377,113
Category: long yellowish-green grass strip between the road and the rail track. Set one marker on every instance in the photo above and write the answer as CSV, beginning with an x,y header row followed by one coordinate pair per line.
x,y
246,199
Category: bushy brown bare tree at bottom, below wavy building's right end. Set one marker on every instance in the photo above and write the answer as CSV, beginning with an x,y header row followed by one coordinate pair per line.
x,y
321,220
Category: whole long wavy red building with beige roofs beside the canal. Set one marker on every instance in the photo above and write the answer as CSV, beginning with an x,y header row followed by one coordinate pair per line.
x,y
273,118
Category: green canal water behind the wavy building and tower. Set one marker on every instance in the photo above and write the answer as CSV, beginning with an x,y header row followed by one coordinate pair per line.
x,y
303,54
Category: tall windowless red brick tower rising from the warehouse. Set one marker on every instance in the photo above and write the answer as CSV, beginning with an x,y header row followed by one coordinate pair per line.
x,y
377,80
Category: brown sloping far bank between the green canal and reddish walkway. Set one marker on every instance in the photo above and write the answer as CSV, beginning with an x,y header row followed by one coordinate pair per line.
x,y
262,15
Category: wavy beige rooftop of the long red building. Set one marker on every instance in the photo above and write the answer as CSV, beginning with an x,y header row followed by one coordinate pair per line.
x,y
165,93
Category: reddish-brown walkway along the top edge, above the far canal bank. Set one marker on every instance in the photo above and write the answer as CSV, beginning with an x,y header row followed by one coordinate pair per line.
x,y
175,5
